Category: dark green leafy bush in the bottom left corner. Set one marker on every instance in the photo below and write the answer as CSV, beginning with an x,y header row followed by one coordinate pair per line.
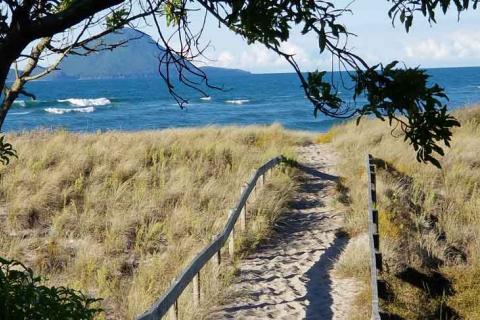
x,y
23,297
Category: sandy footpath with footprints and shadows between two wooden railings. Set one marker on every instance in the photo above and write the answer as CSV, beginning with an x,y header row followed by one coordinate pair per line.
x,y
290,276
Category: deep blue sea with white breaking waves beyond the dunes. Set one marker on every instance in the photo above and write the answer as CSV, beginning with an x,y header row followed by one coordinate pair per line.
x,y
145,104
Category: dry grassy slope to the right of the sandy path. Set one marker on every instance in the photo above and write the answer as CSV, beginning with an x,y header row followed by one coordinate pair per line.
x,y
429,219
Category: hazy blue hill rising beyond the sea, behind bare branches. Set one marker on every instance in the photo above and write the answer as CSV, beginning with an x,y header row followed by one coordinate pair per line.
x,y
136,59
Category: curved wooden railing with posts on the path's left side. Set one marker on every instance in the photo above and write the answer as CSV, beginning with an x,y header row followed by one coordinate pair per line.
x,y
191,274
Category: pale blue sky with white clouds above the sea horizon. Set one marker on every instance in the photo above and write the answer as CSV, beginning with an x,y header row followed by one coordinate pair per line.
x,y
449,43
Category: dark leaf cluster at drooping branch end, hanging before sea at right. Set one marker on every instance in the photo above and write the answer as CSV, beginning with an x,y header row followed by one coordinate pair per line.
x,y
403,95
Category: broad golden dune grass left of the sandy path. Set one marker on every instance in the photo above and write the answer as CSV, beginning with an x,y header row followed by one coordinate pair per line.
x,y
120,214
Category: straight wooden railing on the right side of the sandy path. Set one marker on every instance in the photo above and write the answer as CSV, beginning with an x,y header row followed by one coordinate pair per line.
x,y
374,239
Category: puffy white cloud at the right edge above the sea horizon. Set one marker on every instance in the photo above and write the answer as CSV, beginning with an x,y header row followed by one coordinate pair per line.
x,y
464,45
